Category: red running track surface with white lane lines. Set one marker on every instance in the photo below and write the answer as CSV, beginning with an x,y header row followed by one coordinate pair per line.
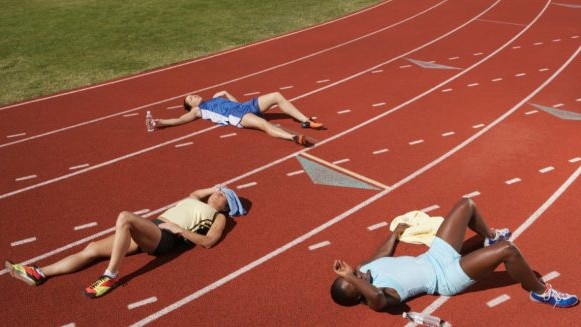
x,y
477,131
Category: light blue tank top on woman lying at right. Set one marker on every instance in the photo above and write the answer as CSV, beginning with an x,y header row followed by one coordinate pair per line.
x,y
409,276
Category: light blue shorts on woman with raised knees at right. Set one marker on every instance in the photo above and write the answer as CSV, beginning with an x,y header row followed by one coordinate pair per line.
x,y
450,278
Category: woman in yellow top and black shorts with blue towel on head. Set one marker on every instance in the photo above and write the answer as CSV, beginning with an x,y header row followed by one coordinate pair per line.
x,y
196,219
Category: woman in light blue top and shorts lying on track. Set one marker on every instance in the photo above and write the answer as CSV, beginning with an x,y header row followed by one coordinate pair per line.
x,y
385,280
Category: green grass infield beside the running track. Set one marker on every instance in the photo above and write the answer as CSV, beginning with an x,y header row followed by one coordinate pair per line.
x,y
48,46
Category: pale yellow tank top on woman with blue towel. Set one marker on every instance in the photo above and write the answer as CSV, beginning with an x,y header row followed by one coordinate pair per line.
x,y
191,214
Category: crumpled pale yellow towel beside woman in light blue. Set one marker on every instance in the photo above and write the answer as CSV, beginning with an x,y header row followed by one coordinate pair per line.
x,y
422,228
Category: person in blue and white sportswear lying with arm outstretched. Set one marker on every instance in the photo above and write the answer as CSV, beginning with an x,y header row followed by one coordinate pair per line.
x,y
224,109
